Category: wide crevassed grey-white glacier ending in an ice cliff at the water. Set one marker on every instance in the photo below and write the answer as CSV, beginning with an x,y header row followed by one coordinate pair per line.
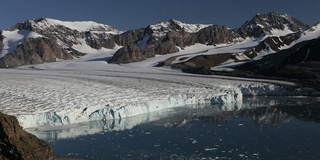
x,y
54,97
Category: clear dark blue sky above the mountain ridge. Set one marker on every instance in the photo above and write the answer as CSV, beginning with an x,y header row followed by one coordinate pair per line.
x,y
131,14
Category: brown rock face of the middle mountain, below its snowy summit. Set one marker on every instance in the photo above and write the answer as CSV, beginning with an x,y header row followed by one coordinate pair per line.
x,y
174,37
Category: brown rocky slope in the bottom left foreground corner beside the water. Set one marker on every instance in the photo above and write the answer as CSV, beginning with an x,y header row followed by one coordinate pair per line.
x,y
16,144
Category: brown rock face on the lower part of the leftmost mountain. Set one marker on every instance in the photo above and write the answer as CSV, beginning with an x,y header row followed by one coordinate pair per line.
x,y
34,51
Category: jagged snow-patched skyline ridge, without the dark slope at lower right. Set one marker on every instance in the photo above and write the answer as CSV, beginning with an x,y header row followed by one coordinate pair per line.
x,y
47,40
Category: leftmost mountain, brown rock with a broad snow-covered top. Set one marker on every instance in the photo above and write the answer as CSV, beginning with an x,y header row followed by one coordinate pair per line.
x,y
47,40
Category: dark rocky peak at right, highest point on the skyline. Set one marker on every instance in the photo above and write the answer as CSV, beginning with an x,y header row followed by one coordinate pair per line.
x,y
270,24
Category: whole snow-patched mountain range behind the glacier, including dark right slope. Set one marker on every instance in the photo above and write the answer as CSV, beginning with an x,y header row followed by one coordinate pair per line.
x,y
284,43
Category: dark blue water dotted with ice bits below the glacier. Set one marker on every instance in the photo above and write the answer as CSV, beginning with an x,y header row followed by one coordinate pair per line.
x,y
288,130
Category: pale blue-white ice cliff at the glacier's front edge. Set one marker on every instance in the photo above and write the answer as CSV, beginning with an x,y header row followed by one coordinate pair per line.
x,y
128,109
